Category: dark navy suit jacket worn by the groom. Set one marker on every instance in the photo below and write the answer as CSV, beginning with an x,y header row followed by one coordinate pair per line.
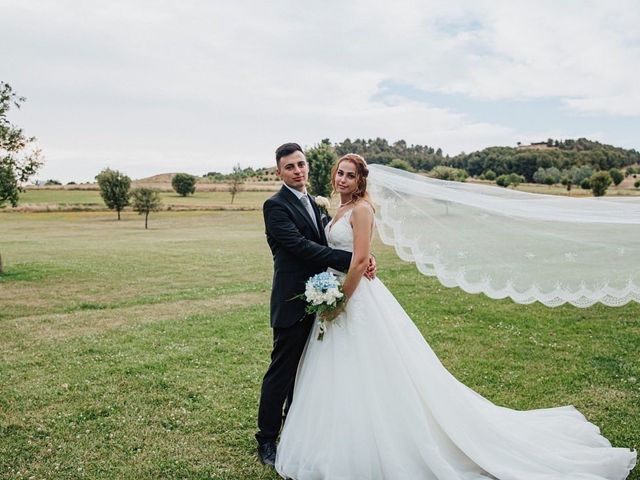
x,y
299,251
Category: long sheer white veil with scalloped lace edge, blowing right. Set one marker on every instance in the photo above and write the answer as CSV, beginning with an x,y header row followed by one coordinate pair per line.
x,y
507,243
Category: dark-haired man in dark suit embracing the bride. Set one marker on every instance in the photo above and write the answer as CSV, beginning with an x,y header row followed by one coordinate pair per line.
x,y
295,233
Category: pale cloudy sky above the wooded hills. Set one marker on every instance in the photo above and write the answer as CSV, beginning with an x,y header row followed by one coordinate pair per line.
x,y
158,86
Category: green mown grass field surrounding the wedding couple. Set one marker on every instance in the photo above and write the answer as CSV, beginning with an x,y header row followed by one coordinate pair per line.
x,y
128,353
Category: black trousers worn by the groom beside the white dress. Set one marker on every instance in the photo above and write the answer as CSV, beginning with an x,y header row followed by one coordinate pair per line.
x,y
278,382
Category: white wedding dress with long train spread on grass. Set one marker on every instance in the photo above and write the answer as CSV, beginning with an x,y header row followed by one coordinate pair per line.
x,y
372,401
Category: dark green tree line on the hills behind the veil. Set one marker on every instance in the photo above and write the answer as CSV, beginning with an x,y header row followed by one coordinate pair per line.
x,y
585,163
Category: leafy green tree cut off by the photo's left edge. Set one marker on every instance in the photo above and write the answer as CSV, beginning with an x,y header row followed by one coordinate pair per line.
x,y
19,158
